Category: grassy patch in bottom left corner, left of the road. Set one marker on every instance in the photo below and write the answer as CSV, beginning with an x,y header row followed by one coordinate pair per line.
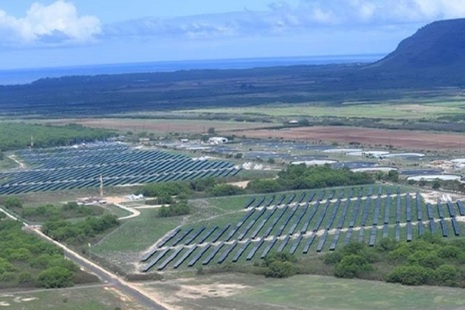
x,y
77,298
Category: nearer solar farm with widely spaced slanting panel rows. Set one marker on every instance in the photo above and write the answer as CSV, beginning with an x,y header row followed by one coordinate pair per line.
x,y
305,223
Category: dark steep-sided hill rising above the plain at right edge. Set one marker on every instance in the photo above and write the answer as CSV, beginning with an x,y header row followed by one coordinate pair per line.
x,y
439,46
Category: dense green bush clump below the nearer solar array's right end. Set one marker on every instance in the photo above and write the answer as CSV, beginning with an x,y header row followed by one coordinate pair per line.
x,y
428,260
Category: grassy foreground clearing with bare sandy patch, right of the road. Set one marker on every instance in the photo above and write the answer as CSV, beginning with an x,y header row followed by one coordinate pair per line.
x,y
241,291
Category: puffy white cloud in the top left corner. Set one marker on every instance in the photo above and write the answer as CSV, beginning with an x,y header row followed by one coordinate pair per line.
x,y
56,24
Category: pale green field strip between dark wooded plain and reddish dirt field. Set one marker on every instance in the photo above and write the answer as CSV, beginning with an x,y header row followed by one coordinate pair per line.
x,y
410,109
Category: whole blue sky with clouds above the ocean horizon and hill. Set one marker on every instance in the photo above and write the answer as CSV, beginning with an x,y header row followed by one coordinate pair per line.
x,y
47,33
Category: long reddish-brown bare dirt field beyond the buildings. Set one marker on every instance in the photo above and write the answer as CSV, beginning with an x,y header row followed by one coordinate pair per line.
x,y
405,139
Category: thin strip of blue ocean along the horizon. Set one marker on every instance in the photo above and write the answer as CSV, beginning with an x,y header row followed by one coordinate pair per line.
x,y
24,76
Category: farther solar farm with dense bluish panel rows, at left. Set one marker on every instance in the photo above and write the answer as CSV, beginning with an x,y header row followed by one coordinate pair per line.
x,y
117,164
